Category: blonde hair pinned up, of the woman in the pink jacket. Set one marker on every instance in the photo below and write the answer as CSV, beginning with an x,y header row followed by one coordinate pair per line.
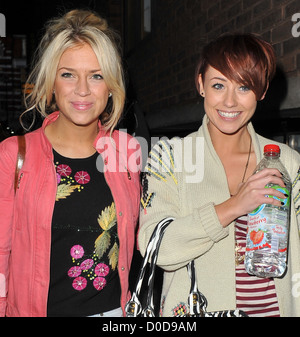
x,y
74,28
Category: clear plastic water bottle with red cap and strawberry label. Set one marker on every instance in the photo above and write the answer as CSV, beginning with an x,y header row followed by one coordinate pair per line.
x,y
268,225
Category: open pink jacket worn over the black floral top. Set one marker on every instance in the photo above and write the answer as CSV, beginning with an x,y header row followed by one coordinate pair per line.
x,y
25,219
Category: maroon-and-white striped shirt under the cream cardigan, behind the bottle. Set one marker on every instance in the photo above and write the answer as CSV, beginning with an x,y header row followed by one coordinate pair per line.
x,y
255,296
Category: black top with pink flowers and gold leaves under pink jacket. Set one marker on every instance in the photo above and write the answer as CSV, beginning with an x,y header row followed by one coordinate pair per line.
x,y
84,248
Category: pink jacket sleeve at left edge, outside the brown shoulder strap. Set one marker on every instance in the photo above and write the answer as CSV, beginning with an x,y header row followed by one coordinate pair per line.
x,y
8,156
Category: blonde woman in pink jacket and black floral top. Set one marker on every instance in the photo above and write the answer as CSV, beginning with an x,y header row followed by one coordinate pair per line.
x,y
67,235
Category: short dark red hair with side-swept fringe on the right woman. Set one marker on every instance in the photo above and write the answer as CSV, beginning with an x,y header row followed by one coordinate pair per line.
x,y
243,58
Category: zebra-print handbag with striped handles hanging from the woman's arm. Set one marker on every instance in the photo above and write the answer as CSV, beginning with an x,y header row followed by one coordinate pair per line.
x,y
197,302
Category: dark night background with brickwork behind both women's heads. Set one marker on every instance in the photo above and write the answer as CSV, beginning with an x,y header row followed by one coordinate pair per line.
x,y
160,63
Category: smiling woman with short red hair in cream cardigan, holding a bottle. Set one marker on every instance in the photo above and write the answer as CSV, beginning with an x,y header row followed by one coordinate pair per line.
x,y
210,206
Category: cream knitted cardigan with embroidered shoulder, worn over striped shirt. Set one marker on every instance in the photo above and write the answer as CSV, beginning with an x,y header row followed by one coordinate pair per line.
x,y
171,187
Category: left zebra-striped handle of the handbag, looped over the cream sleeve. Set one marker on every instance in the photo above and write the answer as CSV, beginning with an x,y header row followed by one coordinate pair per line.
x,y
133,307
